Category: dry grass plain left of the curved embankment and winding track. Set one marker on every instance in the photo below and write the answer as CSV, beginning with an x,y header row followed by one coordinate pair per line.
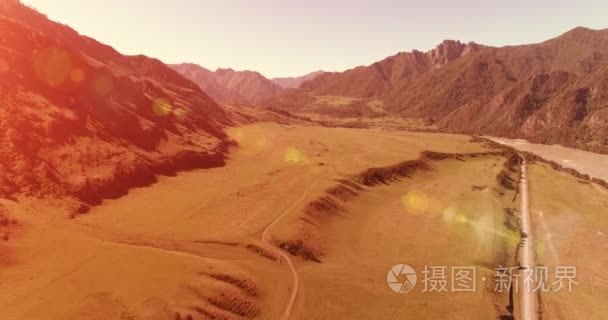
x,y
178,245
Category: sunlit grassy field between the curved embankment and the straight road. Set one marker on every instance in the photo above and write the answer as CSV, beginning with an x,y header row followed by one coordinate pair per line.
x,y
435,218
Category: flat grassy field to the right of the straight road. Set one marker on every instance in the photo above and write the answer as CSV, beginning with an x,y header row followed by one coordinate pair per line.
x,y
571,223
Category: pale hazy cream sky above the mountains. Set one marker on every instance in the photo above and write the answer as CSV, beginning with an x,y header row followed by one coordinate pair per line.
x,y
294,37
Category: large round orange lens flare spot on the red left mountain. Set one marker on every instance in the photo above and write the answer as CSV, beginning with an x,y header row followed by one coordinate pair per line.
x,y
52,66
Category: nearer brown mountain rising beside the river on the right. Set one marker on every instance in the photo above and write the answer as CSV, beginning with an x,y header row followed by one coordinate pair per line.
x,y
553,92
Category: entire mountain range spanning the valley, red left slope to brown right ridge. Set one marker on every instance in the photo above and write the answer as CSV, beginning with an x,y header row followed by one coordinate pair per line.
x,y
79,119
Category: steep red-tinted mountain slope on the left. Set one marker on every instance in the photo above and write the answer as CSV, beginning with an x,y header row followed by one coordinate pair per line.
x,y
80,120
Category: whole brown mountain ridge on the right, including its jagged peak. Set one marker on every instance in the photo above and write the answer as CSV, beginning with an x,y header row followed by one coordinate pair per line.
x,y
550,92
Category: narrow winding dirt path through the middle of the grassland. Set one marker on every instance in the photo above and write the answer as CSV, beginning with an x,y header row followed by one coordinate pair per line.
x,y
284,255
